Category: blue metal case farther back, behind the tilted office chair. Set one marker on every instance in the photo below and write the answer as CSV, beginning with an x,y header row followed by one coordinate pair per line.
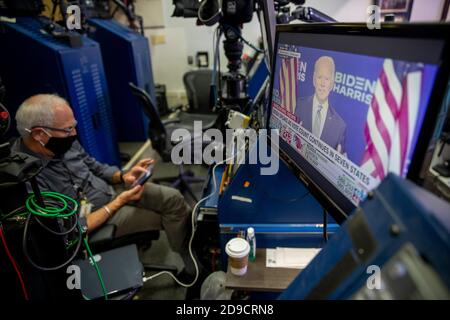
x,y
126,57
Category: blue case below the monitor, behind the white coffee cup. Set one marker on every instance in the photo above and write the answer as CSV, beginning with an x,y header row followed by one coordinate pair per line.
x,y
279,208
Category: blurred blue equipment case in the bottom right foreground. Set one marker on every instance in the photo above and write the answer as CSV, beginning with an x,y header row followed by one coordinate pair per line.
x,y
403,231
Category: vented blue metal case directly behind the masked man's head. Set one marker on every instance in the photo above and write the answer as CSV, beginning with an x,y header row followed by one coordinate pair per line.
x,y
36,62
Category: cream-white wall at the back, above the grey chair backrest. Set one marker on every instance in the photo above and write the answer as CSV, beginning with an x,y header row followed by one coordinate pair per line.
x,y
178,39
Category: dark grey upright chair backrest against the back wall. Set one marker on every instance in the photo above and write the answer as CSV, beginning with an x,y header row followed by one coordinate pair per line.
x,y
197,84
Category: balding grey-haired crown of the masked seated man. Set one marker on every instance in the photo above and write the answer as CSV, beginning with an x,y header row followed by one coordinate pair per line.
x,y
42,110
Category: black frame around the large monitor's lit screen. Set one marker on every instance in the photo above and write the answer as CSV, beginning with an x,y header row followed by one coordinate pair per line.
x,y
340,207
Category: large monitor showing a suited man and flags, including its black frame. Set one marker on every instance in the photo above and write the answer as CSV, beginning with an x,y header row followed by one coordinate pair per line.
x,y
350,105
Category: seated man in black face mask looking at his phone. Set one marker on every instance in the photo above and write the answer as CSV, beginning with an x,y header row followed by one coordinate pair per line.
x,y
48,131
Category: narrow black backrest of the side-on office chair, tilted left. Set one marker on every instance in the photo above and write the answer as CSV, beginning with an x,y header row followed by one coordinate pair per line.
x,y
156,131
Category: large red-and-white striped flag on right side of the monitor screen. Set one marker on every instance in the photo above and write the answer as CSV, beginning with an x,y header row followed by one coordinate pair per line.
x,y
391,118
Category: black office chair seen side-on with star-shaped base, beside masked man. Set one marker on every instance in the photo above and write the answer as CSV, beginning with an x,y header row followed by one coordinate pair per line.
x,y
159,132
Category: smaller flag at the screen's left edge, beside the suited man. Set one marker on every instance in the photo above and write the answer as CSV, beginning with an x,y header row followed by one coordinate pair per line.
x,y
288,83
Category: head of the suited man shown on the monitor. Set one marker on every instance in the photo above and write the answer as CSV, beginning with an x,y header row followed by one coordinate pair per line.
x,y
324,70
